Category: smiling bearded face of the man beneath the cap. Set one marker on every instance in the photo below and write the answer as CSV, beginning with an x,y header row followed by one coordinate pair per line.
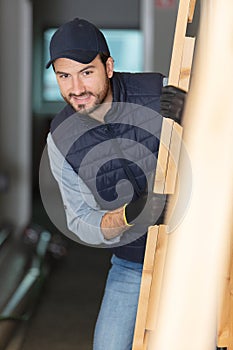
x,y
84,86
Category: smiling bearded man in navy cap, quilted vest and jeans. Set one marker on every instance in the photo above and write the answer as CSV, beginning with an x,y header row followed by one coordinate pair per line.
x,y
102,148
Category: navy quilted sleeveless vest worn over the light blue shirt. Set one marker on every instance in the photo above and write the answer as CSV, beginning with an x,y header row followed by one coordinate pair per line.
x,y
117,159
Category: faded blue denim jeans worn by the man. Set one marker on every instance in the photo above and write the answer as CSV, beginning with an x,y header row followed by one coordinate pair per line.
x,y
115,324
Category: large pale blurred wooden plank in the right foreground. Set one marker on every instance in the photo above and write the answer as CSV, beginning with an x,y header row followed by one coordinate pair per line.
x,y
195,254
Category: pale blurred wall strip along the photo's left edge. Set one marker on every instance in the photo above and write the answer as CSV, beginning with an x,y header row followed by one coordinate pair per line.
x,y
15,108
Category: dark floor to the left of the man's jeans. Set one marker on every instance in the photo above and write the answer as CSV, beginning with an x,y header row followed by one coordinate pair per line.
x,y
65,315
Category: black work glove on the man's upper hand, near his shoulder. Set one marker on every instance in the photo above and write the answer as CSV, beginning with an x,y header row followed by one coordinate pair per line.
x,y
172,102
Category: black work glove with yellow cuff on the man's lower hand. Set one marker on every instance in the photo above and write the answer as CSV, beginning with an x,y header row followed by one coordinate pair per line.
x,y
148,209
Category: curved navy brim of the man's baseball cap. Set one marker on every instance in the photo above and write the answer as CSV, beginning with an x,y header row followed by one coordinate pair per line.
x,y
76,55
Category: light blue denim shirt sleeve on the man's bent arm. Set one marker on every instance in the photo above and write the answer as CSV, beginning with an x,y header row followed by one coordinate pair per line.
x,y
83,214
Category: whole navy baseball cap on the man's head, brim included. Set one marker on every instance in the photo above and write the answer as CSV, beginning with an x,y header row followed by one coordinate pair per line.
x,y
78,40
